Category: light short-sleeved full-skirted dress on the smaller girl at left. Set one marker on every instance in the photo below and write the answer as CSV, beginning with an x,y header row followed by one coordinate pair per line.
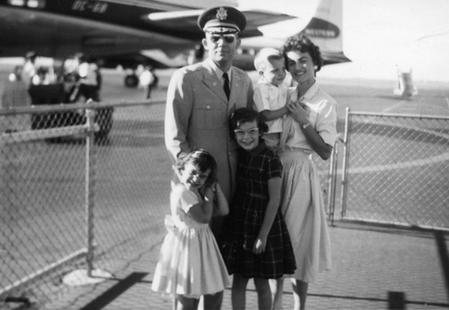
x,y
190,261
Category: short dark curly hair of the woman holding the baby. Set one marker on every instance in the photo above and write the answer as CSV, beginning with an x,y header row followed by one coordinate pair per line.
x,y
303,44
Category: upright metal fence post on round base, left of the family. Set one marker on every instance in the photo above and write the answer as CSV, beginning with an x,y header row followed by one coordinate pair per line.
x,y
89,187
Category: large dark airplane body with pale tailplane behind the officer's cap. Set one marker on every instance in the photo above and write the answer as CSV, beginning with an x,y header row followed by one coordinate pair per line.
x,y
61,28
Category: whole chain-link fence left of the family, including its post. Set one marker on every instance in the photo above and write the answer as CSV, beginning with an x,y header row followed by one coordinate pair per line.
x,y
73,194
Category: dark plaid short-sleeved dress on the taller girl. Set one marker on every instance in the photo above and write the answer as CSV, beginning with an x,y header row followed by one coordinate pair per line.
x,y
248,208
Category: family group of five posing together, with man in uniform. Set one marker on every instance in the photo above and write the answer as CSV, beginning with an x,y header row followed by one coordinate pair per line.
x,y
246,199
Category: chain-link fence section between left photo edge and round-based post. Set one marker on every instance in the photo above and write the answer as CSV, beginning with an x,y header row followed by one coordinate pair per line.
x,y
41,201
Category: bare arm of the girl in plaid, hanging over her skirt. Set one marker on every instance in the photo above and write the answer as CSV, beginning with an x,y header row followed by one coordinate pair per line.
x,y
274,189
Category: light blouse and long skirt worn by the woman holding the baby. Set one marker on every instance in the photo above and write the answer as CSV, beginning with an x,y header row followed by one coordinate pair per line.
x,y
302,202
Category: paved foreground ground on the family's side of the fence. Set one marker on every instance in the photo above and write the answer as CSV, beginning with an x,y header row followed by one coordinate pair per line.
x,y
373,268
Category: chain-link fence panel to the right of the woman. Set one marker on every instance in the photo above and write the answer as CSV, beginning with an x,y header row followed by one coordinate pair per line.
x,y
396,170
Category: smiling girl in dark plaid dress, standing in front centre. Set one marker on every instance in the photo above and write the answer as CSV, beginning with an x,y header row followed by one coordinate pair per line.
x,y
258,244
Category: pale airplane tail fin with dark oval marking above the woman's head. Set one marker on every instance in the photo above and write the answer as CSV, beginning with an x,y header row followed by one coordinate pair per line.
x,y
325,29
